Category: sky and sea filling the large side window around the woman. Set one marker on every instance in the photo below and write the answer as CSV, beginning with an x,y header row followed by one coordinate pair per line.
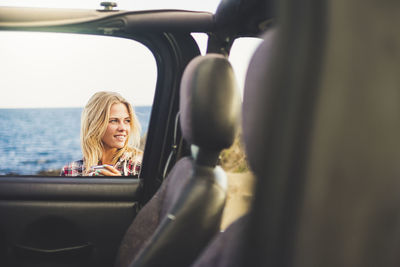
x,y
47,78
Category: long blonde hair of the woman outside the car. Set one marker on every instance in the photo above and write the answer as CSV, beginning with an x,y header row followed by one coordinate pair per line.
x,y
94,121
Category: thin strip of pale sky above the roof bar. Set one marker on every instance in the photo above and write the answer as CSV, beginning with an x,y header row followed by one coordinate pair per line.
x,y
207,5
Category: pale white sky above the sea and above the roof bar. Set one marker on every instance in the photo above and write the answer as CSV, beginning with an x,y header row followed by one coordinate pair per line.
x,y
63,70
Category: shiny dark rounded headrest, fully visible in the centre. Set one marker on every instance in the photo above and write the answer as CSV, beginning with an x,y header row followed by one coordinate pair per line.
x,y
210,103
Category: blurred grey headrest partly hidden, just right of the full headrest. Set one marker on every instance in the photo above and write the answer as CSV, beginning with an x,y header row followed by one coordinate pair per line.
x,y
256,105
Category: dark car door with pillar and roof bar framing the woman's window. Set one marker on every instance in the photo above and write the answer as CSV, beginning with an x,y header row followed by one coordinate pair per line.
x,y
53,221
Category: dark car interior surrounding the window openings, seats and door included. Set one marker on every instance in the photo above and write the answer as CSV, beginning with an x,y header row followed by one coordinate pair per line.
x,y
320,119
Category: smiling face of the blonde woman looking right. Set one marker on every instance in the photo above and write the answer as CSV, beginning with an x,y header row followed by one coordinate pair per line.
x,y
118,127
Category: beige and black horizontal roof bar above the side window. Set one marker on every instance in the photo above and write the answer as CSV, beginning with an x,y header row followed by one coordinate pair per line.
x,y
14,18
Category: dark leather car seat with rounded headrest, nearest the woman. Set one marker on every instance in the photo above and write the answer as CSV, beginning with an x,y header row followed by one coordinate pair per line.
x,y
184,214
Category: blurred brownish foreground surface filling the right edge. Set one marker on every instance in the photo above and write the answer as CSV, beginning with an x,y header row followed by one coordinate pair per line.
x,y
348,211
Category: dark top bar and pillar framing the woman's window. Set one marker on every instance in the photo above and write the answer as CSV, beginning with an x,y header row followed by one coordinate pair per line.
x,y
172,47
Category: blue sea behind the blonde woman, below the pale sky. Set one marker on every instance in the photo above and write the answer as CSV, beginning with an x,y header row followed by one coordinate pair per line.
x,y
33,140
